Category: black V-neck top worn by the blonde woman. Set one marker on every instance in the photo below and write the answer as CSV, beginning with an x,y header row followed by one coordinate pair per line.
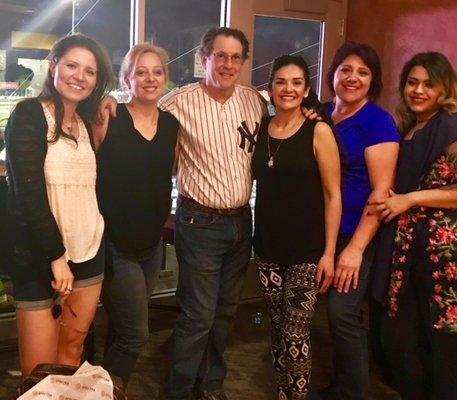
x,y
134,181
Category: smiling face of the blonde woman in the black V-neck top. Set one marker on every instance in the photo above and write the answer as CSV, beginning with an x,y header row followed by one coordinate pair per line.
x,y
147,80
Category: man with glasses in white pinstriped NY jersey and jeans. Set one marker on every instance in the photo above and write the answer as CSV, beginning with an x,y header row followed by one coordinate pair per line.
x,y
219,120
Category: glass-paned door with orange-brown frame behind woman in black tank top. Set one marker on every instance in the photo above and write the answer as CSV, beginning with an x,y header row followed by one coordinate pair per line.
x,y
312,29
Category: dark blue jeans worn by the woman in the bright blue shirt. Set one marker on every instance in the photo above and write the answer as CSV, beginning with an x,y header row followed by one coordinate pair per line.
x,y
349,335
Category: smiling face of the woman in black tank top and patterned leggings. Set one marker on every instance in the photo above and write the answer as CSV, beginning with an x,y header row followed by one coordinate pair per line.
x,y
288,88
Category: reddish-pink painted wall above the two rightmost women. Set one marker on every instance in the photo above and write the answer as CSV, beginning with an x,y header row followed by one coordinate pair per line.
x,y
398,29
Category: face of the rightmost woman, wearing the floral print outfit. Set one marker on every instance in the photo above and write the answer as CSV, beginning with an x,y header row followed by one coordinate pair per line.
x,y
420,94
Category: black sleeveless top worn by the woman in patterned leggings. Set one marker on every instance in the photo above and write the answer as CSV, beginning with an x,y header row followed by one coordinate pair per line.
x,y
289,206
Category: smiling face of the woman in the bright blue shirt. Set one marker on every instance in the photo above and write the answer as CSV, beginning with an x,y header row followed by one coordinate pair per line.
x,y
352,80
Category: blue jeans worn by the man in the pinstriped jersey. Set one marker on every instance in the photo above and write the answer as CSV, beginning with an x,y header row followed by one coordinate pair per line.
x,y
213,252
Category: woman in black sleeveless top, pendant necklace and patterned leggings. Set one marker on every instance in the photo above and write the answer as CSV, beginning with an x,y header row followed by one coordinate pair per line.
x,y
296,165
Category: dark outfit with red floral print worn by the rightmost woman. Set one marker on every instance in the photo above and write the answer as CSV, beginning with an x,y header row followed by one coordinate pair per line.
x,y
415,269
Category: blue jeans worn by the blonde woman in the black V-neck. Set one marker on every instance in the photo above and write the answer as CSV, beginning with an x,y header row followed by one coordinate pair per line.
x,y
127,287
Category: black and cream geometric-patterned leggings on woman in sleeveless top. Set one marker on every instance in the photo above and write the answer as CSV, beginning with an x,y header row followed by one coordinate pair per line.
x,y
290,292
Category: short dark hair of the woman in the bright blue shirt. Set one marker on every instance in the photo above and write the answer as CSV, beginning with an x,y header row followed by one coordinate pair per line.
x,y
368,56
